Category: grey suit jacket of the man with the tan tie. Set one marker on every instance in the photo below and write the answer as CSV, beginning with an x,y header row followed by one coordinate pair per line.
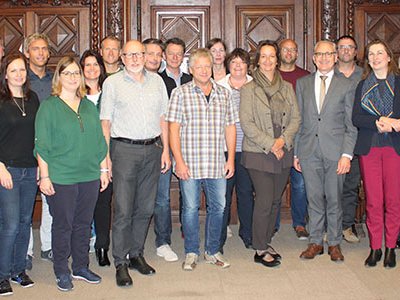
x,y
332,128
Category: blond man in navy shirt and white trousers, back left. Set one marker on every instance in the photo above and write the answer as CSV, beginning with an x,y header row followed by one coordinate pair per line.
x,y
36,50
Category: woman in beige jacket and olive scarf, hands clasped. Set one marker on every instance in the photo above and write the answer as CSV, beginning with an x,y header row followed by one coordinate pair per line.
x,y
269,118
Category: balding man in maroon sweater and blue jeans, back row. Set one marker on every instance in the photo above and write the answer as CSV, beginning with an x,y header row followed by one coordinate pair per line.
x,y
291,73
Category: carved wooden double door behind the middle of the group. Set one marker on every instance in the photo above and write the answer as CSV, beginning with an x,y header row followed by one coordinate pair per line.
x,y
240,23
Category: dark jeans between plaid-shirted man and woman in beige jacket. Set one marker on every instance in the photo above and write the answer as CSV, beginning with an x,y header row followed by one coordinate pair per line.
x,y
241,181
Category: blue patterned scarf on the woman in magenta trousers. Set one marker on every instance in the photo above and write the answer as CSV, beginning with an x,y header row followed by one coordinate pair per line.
x,y
376,101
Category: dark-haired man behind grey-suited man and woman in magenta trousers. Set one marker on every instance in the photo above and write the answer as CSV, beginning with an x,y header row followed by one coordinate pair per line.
x,y
346,65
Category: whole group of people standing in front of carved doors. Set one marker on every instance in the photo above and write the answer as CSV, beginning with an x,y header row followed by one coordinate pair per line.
x,y
97,130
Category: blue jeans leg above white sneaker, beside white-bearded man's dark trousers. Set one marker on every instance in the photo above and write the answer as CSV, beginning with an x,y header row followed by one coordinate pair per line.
x,y
162,211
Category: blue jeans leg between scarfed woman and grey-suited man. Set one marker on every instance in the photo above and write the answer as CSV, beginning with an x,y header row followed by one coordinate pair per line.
x,y
299,198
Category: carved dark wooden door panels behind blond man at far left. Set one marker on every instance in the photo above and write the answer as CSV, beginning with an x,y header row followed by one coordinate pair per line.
x,y
67,26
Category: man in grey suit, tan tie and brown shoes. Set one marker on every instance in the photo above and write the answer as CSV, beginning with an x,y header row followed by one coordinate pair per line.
x,y
324,148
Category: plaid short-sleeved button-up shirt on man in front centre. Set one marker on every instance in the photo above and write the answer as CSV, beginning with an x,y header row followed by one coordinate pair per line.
x,y
202,131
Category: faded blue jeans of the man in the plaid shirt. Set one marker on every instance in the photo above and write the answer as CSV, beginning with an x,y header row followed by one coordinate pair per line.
x,y
215,197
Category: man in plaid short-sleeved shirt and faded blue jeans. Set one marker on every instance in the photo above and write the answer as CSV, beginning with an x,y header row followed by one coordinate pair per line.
x,y
202,119
